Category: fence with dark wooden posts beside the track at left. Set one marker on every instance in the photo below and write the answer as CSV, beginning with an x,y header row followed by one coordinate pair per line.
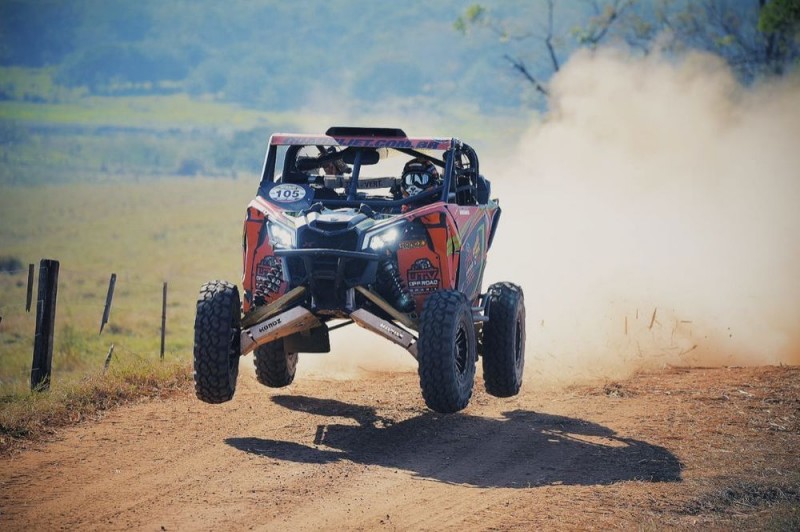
x,y
97,319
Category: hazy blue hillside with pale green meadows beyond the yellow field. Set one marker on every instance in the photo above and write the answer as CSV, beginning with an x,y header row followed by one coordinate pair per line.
x,y
98,90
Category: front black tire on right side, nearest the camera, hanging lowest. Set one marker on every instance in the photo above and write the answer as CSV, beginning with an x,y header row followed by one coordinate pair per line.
x,y
446,351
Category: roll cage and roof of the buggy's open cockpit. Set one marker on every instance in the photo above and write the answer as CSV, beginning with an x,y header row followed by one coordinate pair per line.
x,y
349,149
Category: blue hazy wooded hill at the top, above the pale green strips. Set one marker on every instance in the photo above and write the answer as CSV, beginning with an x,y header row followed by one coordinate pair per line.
x,y
269,54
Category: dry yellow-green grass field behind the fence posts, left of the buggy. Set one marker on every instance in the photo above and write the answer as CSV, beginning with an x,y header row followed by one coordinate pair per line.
x,y
181,231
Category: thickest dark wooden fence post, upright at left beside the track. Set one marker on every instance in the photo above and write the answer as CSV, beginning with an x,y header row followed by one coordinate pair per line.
x,y
45,325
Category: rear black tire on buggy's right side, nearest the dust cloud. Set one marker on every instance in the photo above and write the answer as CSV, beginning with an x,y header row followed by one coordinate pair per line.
x,y
504,340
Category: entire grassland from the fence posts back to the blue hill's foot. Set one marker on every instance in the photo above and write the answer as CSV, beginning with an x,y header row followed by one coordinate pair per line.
x,y
83,181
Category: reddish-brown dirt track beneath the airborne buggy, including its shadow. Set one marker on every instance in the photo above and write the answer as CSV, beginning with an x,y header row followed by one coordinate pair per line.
x,y
677,448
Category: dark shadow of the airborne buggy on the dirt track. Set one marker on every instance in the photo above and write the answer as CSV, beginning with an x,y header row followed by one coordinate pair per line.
x,y
523,449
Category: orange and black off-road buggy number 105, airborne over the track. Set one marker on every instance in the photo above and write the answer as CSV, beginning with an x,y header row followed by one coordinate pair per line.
x,y
329,241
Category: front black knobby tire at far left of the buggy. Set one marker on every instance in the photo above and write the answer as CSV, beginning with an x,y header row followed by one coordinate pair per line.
x,y
216,342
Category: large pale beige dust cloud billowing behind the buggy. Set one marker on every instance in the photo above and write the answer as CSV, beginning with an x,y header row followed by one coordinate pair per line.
x,y
653,218
